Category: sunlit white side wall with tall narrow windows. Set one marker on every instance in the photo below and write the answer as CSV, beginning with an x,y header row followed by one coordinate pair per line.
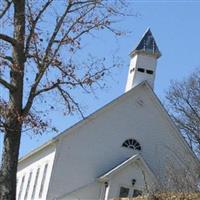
x,y
31,165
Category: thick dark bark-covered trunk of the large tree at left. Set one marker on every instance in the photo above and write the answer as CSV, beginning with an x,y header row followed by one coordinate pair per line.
x,y
13,126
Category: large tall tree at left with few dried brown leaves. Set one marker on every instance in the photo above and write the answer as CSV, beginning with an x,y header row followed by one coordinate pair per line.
x,y
38,42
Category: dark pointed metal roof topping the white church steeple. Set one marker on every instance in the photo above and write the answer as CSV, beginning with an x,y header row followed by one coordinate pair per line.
x,y
147,45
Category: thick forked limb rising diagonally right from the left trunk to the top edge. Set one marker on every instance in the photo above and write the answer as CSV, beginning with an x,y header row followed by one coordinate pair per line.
x,y
49,55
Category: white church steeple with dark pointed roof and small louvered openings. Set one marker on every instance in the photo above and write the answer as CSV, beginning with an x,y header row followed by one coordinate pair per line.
x,y
143,62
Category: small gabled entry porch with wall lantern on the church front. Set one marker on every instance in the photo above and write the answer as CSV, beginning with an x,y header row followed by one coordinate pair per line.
x,y
132,174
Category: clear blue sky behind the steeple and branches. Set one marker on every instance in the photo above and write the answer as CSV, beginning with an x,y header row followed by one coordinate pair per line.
x,y
176,28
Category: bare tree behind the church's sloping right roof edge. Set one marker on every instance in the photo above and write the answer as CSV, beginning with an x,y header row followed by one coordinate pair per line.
x,y
183,103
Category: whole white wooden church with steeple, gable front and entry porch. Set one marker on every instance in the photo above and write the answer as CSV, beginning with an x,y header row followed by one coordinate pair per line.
x,y
121,150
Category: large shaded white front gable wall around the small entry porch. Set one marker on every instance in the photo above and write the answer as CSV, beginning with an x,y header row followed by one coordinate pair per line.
x,y
95,144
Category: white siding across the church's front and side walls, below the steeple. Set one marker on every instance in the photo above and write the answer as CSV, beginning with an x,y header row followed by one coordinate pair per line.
x,y
94,146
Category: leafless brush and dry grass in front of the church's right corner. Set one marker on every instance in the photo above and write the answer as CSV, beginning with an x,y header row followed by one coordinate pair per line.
x,y
179,178
